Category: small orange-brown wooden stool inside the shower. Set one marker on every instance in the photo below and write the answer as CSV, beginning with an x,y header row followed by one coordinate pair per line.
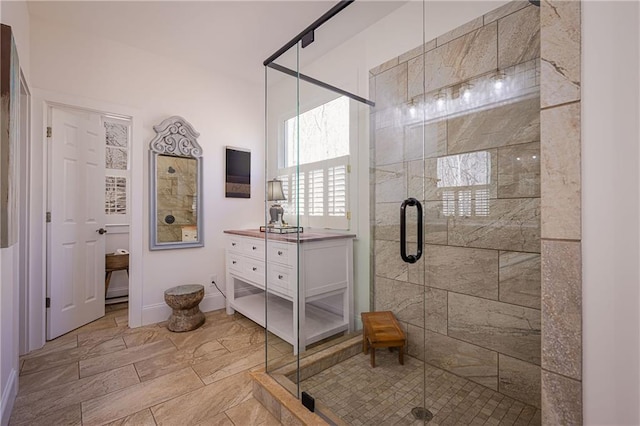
x,y
381,330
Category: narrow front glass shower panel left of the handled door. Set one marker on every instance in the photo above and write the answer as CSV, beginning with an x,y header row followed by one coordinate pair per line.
x,y
282,227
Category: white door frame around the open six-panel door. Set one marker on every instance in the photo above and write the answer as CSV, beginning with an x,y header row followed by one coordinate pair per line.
x,y
42,100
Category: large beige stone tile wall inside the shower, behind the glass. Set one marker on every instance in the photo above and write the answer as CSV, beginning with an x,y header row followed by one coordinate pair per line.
x,y
472,306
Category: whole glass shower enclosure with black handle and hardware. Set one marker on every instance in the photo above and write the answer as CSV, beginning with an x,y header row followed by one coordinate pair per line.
x,y
402,175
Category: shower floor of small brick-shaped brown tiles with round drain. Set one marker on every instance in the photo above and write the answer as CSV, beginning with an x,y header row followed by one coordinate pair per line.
x,y
386,395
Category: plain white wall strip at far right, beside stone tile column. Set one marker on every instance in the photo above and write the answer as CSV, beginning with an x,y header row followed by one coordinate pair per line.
x,y
611,212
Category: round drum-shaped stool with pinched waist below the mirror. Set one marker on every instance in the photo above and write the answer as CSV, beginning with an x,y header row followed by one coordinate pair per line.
x,y
184,300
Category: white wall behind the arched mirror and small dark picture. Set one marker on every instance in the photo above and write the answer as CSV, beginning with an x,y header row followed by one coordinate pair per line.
x,y
225,112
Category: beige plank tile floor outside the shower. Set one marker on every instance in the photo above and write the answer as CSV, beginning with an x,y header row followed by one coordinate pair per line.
x,y
107,373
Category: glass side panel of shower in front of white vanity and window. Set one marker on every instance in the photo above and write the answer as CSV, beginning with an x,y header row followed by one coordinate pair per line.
x,y
309,249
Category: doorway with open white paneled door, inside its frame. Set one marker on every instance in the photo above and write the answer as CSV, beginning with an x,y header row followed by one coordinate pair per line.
x,y
87,199
